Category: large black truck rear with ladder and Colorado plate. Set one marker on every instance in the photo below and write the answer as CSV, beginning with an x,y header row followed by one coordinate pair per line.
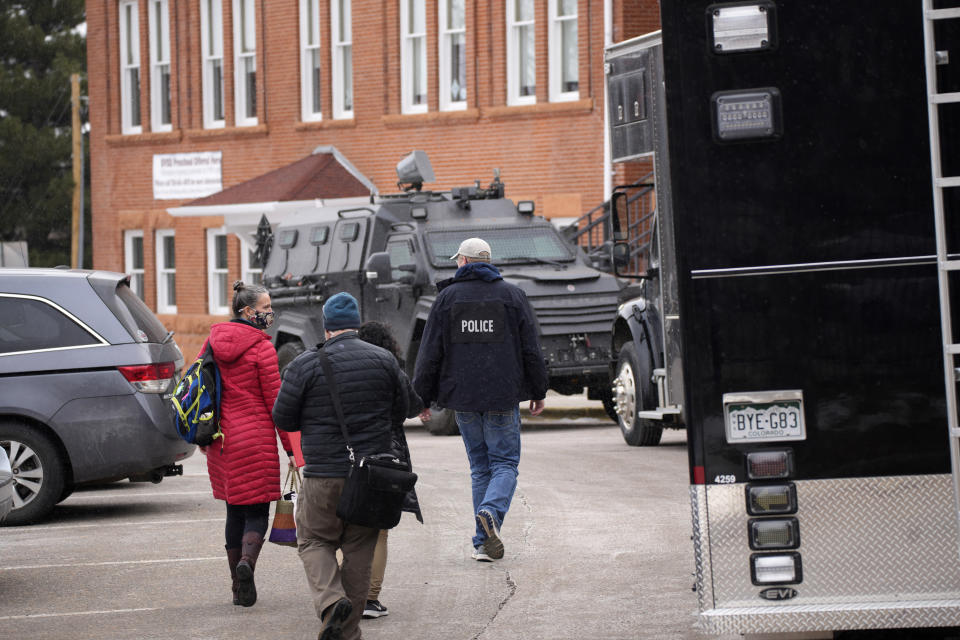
x,y
814,214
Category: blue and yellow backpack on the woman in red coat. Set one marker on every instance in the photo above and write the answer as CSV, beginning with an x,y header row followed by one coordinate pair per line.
x,y
196,401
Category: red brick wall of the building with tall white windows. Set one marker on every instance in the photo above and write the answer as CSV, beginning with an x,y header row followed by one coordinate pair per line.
x,y
549,152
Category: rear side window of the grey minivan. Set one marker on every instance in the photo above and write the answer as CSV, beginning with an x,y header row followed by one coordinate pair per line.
x,y
31,324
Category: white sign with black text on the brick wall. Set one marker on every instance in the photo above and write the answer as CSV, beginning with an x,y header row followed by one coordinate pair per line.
x,y
177,176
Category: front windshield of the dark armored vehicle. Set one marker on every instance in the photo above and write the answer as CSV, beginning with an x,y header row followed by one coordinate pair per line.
x,y
511,244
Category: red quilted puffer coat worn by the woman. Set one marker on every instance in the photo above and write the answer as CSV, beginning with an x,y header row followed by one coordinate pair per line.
x,y
245,467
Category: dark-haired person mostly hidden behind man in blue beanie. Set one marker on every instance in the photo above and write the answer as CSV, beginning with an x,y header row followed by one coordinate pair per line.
x,y
379,334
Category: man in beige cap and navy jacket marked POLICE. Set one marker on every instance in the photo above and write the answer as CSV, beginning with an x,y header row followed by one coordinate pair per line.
x,y
480,356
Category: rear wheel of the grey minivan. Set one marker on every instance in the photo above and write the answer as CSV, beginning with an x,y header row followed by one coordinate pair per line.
x,y
38,475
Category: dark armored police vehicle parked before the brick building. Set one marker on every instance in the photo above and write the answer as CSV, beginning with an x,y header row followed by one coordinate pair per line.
x,y
389,253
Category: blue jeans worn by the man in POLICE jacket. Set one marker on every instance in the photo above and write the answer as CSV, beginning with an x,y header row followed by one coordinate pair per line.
x,y
492,439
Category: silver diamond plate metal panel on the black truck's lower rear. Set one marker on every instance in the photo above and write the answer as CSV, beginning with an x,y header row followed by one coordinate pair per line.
x,y
876,552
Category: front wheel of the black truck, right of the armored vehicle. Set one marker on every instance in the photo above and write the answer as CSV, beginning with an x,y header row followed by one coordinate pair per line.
x,y
633,391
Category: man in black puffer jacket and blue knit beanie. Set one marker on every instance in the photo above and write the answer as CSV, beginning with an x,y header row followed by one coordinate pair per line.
x,y
374,393
